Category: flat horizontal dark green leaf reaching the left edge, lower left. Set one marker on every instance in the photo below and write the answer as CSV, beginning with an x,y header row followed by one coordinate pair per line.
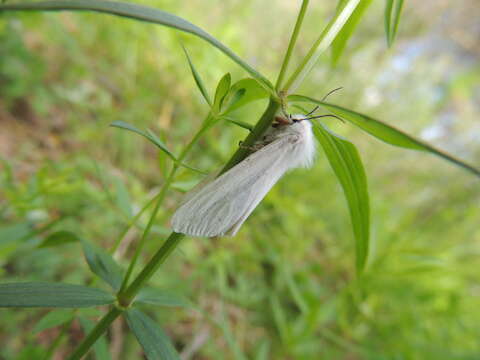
x,y
45,294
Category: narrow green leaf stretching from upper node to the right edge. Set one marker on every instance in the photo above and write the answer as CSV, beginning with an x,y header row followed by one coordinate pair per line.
x,y
384,132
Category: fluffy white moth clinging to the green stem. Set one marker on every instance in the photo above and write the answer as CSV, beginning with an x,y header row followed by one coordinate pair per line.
x,y
222,205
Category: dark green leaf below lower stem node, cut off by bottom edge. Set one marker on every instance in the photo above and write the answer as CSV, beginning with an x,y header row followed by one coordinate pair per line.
x,y
155,343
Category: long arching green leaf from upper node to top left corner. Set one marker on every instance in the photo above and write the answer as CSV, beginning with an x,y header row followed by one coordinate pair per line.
x,y
143,13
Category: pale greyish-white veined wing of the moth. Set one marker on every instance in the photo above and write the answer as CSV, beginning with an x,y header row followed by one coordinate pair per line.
x,y
221,206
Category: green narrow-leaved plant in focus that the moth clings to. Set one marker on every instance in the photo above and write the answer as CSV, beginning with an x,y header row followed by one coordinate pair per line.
x,y
128,285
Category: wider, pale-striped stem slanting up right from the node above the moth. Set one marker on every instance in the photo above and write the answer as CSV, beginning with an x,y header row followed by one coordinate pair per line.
x,y
320,45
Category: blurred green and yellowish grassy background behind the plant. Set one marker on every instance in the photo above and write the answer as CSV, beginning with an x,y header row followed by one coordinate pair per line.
x,y
285,286
